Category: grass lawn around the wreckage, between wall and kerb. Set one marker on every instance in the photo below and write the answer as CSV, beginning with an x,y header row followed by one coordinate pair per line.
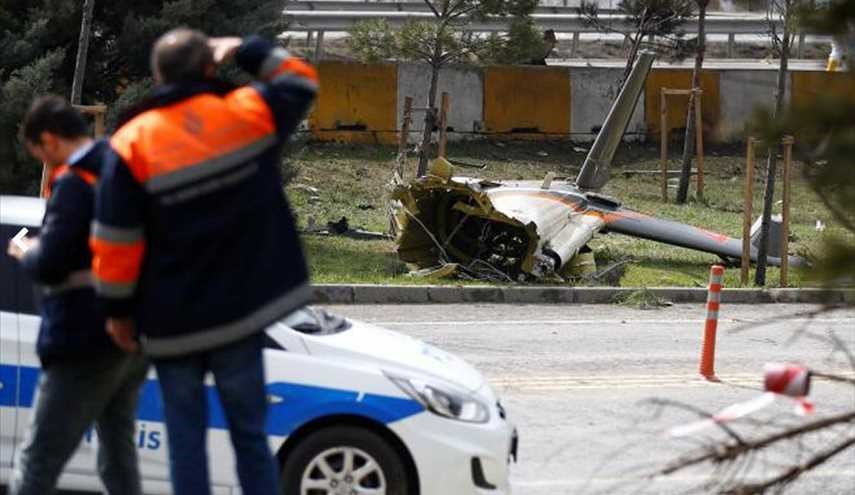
x,y
351,179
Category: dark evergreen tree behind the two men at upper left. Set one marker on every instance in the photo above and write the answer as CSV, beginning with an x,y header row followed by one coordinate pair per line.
x,y
38,47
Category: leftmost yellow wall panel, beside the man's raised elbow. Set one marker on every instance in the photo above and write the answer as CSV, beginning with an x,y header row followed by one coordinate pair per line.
x,y
356,103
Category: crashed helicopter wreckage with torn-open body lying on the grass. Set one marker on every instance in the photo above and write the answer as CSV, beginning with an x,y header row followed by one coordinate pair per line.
x,y
532,229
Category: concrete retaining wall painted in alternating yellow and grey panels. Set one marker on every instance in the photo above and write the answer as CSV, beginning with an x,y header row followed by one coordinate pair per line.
x,y
364,103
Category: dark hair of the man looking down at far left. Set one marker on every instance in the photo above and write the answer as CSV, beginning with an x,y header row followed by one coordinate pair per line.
x,y
55,115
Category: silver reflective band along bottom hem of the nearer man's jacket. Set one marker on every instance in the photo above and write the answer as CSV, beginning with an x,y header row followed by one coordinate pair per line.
x,y
212,337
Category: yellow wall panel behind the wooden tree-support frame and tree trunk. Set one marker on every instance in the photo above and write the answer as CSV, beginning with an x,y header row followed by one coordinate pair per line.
x,y
677,105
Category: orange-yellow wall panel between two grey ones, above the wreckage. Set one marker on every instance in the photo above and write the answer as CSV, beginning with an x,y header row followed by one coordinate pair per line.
x,y
527,101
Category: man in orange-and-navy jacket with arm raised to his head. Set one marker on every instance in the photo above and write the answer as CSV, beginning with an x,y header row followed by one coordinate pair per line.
x,y
195,247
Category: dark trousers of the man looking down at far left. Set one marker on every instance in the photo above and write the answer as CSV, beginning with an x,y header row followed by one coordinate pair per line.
x,y
71,395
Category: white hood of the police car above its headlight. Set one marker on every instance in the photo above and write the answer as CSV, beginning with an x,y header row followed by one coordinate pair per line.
x,y
394,352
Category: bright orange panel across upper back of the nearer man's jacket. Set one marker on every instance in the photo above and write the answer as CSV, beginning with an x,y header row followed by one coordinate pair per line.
x,y
193,131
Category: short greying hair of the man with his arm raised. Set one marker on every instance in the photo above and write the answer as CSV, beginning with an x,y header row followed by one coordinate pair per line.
x,y
181,55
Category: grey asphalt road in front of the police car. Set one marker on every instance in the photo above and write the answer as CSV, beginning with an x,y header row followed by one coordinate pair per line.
x,y
575,380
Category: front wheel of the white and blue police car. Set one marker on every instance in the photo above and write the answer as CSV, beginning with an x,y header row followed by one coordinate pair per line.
x,y
344,460
